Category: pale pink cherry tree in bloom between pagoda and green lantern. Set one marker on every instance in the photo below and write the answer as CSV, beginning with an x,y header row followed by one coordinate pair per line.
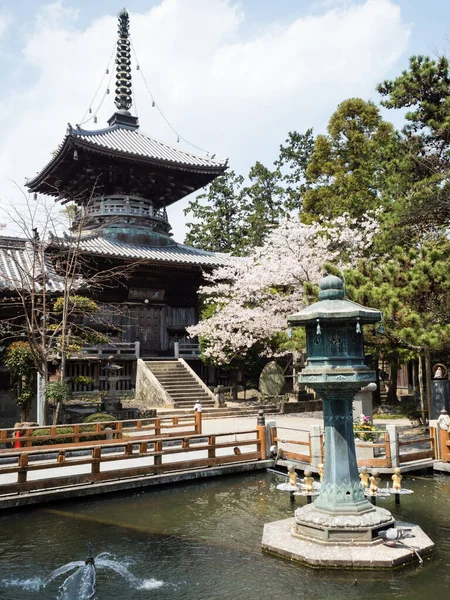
x,y
246,303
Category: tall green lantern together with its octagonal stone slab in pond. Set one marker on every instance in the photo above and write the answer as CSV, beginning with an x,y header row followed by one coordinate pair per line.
x,y
341,527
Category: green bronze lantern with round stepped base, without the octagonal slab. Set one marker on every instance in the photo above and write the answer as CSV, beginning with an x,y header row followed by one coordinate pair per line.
x,y
336,371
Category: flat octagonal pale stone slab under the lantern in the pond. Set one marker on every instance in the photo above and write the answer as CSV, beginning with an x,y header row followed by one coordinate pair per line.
x,y
277,539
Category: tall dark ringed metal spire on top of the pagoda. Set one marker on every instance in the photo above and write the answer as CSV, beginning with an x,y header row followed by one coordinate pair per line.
x,y
123,98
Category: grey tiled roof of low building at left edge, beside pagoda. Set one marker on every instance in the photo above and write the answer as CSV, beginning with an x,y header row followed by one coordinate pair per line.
x,y
20,266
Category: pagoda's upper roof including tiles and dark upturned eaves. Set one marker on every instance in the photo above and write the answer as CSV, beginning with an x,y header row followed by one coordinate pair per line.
x,y
128,143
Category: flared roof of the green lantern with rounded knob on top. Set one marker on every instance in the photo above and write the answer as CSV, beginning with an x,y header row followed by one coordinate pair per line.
x,y
333,307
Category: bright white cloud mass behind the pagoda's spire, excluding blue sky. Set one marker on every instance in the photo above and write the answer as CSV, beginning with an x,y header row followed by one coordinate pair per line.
x,y
233,94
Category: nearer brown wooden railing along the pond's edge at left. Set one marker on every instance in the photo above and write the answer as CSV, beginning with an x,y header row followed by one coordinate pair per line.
x,y
156,456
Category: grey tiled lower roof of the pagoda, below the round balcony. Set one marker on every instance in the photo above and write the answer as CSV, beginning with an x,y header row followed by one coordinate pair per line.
x,y
176,254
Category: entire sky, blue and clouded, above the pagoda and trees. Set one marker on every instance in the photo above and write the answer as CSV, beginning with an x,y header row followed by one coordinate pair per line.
x,y
231,77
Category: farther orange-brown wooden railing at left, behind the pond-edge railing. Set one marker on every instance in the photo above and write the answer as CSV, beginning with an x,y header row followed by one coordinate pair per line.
x,y
82,433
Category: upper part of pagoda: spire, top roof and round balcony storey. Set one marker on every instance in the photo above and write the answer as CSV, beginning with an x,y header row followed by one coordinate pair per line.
x,y
122,180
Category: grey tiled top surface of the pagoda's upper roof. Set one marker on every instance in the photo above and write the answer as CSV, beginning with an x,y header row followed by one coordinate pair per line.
x,y
130,140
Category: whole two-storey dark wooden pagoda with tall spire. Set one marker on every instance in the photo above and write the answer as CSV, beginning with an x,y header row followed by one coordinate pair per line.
x,y
121,182
